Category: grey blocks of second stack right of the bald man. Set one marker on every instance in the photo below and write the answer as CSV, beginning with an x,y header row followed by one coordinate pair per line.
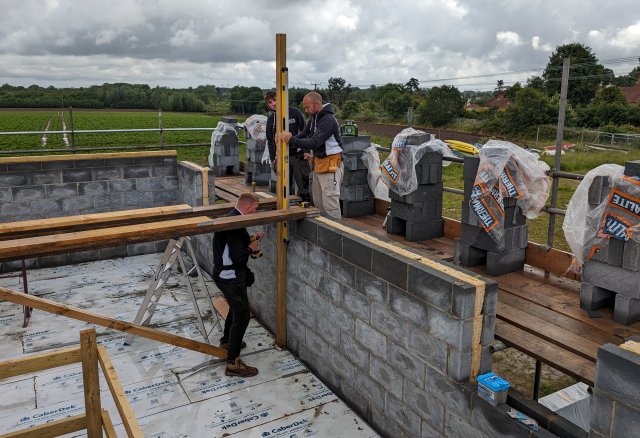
x,y
418,215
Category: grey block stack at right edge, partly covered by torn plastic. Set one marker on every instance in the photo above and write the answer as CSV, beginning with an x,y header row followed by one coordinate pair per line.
x,y
612,275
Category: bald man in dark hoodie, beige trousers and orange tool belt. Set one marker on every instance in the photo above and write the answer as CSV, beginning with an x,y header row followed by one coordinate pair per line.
x,y
321,139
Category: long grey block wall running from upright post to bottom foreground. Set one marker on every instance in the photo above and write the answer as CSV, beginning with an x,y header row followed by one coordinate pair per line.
x,y
389,335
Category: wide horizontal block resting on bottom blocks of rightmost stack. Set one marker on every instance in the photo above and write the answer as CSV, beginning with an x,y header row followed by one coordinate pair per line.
x,y
614,278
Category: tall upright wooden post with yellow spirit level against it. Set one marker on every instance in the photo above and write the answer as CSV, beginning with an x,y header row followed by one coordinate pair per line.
x,y
282,179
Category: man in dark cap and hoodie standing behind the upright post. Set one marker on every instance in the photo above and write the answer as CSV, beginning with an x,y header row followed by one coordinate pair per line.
x,y
298,165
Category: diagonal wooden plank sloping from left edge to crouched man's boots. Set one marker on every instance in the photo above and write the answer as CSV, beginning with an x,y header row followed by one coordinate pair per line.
x,y
104,321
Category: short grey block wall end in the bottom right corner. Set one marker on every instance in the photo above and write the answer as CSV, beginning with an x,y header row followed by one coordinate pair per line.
x,y
615,406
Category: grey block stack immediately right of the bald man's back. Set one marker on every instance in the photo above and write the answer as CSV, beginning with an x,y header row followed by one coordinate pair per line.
x,y
356,196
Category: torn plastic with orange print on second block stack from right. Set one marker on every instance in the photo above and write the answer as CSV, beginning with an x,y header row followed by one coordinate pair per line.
x,y
507,171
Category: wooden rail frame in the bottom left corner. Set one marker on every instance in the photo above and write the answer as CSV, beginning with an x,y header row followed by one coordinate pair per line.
x,y
95,419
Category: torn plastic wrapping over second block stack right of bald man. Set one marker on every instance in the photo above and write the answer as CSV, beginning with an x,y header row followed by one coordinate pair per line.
x,y
398,170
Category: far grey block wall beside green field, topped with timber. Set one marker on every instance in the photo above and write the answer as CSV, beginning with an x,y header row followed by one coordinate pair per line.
x,y
64,185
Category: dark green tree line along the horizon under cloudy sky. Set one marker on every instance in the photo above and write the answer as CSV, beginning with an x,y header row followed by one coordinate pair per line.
x,y
594,97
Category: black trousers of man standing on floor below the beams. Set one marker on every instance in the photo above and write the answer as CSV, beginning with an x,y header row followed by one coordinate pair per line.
x,y
238,318
